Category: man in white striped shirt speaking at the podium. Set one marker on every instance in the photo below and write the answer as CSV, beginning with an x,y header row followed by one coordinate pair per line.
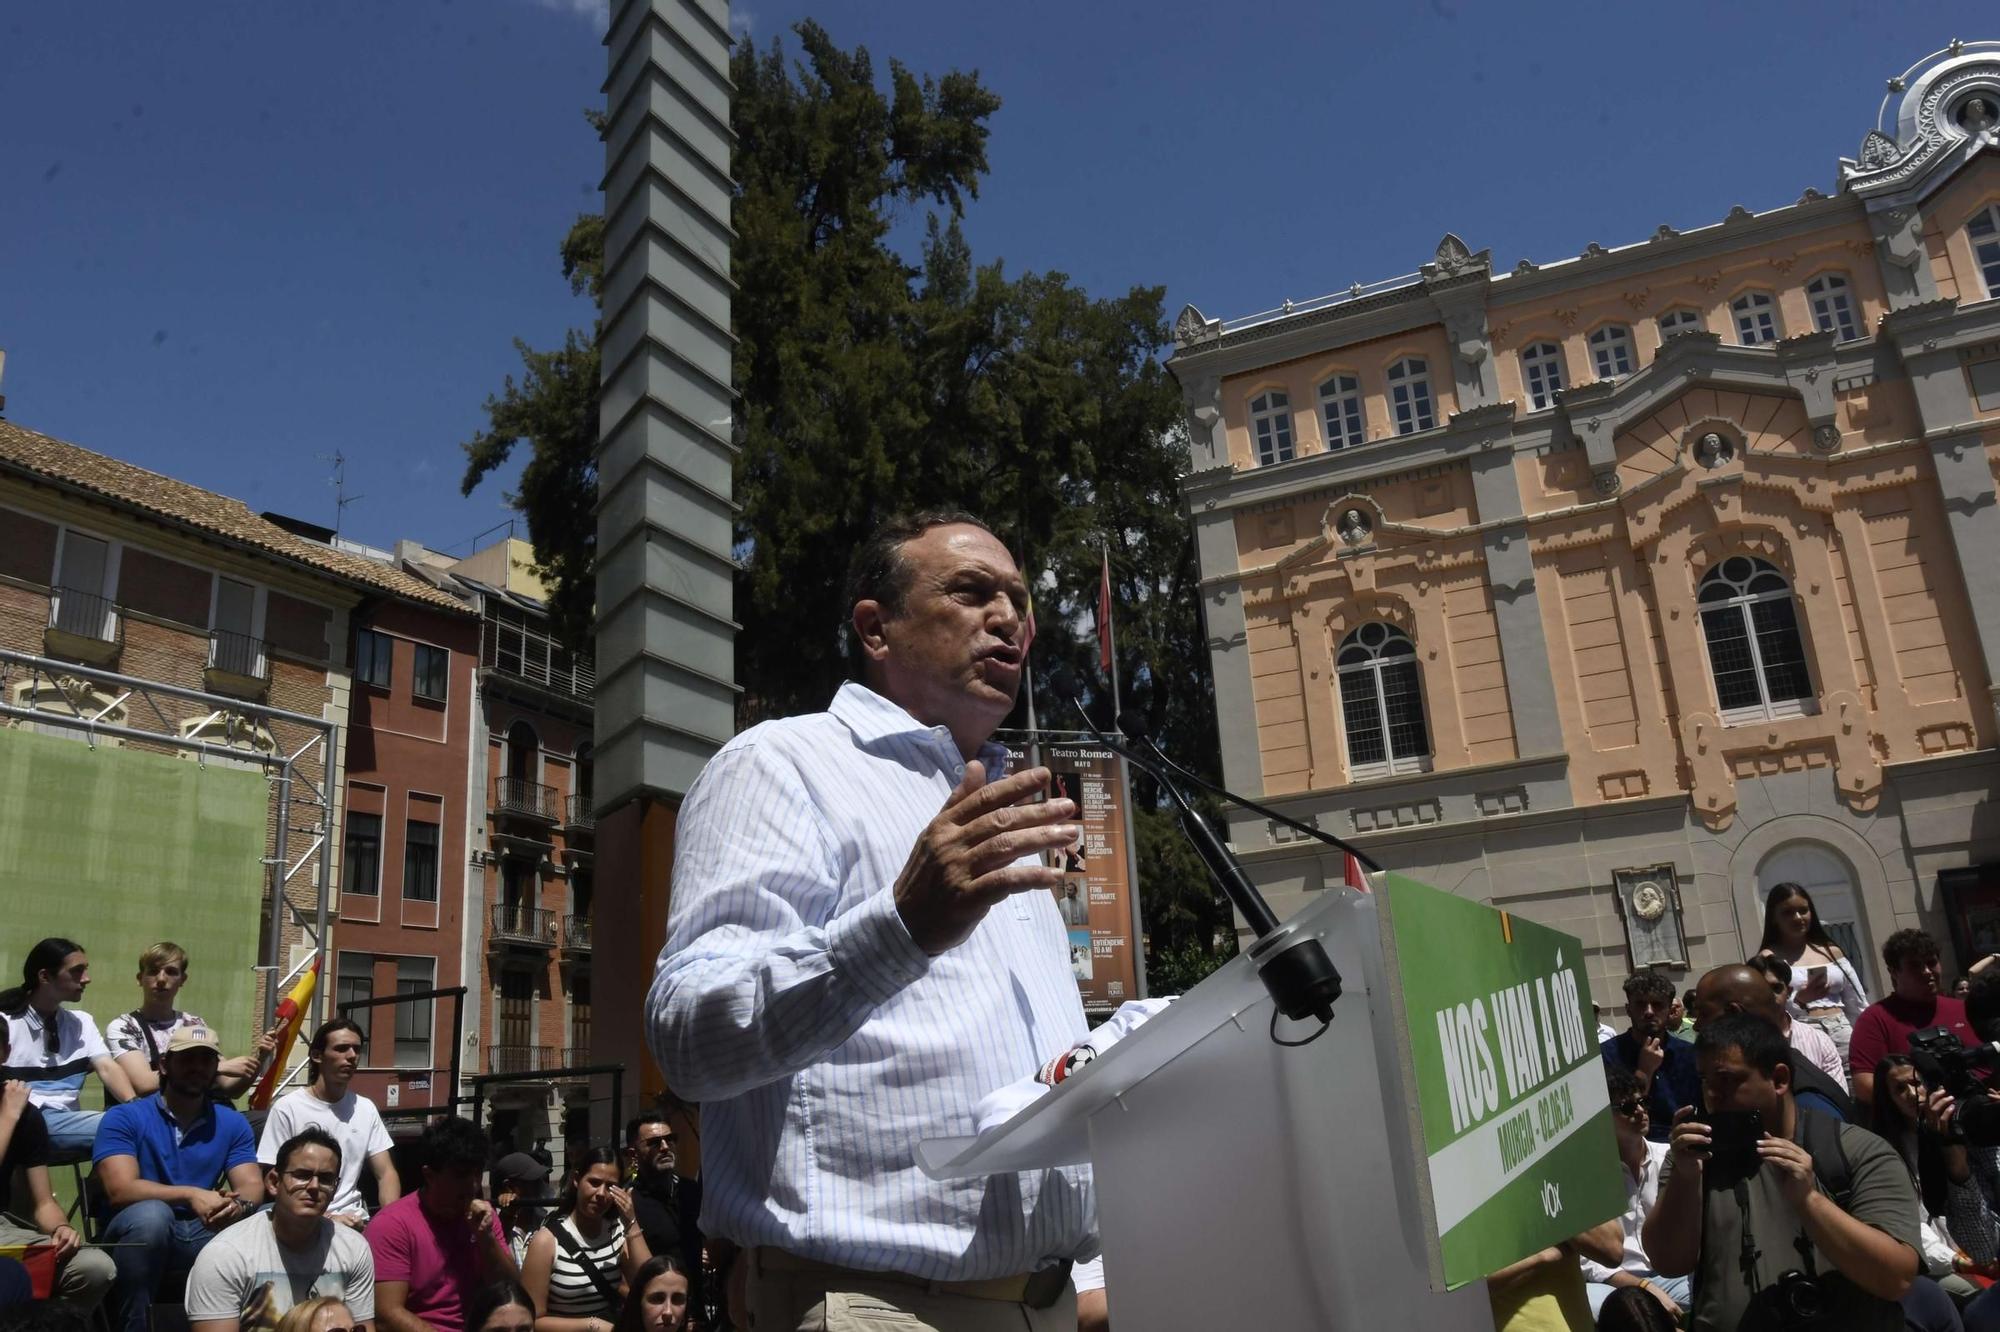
x,y
861,945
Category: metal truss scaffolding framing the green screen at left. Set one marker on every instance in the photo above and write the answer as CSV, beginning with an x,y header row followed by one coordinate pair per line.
x,y
165,715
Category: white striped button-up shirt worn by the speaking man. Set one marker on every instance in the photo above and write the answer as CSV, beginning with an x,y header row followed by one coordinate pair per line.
x,y
821,1041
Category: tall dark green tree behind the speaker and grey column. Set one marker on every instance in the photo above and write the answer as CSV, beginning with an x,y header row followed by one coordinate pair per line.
x,y
875,381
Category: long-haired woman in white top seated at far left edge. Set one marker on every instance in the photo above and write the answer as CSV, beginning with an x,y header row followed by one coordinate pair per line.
x,y
63,1041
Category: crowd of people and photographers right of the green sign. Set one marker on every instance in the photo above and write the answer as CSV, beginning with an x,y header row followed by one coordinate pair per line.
x,y
1789,1161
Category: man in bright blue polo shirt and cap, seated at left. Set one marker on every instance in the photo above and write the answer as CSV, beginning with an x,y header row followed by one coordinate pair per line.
x,y
161,1161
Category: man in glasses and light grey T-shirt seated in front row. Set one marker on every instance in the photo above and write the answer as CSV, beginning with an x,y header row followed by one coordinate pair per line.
x,y
259,1271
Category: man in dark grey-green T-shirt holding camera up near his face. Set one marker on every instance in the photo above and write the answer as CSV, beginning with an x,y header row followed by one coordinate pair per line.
x,y
1815,1195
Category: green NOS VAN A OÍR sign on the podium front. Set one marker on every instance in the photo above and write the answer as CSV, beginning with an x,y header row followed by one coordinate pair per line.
x,y
1511,1107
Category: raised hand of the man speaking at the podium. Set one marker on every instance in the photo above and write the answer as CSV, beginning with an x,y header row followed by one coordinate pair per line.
x,y
965,861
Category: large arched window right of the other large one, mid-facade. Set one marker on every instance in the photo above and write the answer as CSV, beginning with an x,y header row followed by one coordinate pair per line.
x,y
1755,651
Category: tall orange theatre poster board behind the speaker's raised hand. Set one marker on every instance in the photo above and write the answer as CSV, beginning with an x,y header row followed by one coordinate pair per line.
x,y
1097,897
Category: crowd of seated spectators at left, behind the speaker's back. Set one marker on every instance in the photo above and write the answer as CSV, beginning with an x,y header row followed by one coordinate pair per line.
x,y
267,1227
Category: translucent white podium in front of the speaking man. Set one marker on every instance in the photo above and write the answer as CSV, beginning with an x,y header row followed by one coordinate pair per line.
x,y
1247,1185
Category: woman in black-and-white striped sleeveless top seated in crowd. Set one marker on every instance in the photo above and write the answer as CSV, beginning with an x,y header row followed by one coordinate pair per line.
x,y
579,1265
